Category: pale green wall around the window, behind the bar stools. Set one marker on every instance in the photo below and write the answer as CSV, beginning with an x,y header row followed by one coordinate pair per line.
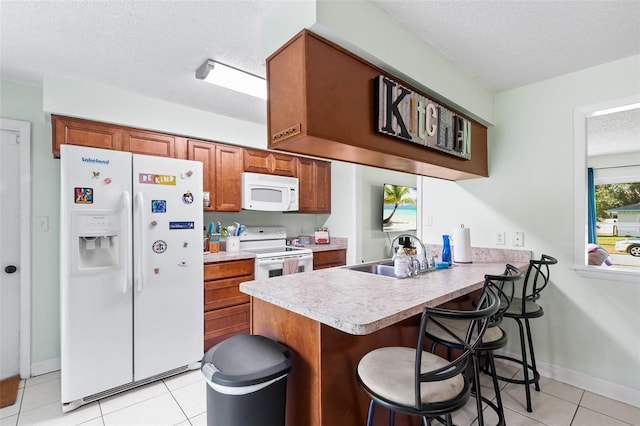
x,y
590,326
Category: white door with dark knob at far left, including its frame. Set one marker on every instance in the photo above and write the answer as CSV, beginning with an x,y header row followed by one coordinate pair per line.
x,y
14,147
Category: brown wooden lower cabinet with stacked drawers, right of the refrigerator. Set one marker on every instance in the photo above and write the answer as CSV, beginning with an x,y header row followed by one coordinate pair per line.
x,y
226,309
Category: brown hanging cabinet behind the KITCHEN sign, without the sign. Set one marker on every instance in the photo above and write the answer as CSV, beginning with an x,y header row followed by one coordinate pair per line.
x,y
321,103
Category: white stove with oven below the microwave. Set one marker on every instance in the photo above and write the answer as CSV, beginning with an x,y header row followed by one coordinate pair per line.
x,y
273,256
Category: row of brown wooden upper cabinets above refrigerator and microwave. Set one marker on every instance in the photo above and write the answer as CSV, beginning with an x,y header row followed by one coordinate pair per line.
x,y
222,164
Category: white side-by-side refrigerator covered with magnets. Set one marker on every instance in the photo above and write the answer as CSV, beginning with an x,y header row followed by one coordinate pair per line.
x,y
130,270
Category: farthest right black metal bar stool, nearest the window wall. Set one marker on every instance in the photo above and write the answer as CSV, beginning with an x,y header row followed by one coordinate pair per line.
x,y
522,309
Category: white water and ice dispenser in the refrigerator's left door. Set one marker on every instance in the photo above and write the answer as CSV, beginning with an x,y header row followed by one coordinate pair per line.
x,y
96,240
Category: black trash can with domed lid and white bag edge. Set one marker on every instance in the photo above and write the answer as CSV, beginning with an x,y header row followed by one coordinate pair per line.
x,y
246,381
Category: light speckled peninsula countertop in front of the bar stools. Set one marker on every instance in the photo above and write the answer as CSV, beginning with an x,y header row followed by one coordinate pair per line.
x,y
361,303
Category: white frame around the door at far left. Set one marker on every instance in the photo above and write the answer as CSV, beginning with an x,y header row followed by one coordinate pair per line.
x,y
23,128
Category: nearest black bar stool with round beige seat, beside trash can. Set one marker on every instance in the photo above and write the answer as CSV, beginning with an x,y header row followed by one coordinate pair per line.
x,y
418,383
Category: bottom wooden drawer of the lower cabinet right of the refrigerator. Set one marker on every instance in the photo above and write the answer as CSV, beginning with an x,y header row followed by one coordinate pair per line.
x,y
226,322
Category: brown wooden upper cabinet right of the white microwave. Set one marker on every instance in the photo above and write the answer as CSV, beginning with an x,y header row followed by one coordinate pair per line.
x,y
314,178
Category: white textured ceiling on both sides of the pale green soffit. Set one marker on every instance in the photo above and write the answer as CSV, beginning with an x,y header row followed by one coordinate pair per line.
x,y
153,47
